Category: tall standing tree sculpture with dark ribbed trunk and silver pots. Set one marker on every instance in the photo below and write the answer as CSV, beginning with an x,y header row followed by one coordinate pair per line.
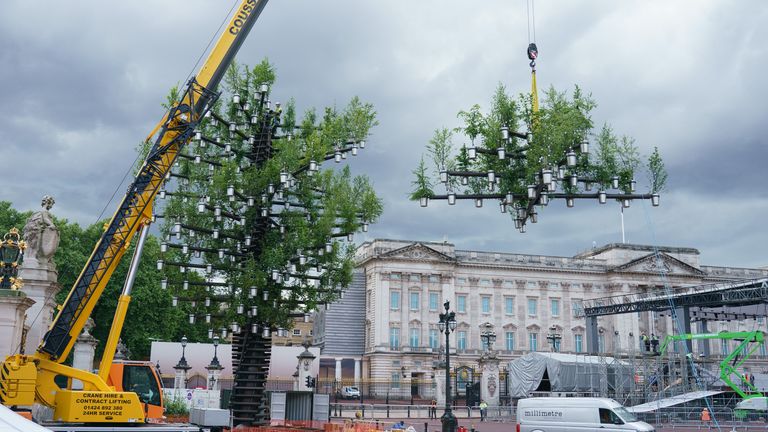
x,y
253,224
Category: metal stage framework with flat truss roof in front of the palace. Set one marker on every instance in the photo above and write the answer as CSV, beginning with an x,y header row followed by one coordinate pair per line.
x,y
637,376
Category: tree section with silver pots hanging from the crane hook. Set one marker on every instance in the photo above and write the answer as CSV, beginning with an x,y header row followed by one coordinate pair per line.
x,y
523,157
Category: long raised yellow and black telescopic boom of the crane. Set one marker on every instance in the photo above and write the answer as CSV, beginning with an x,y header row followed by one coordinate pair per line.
x,y
136,208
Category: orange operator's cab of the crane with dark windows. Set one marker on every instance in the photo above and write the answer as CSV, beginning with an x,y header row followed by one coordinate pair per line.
x,y
143,379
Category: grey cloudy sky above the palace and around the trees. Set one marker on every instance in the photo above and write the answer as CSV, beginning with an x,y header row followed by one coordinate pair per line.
x,y
82,84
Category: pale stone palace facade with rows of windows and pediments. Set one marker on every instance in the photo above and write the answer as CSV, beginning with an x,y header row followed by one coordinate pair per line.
x,y
401,287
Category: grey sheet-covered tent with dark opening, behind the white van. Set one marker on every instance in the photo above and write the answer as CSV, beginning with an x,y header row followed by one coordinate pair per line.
x,y
567,373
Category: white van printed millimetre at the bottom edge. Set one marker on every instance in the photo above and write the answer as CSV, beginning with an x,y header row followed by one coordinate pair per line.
x,y
576,414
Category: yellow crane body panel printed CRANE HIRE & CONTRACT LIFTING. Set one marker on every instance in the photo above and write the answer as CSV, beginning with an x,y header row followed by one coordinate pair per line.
x,y
98,407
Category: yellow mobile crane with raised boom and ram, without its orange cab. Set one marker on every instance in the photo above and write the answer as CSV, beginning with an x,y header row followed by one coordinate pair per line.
x,y
29,379
